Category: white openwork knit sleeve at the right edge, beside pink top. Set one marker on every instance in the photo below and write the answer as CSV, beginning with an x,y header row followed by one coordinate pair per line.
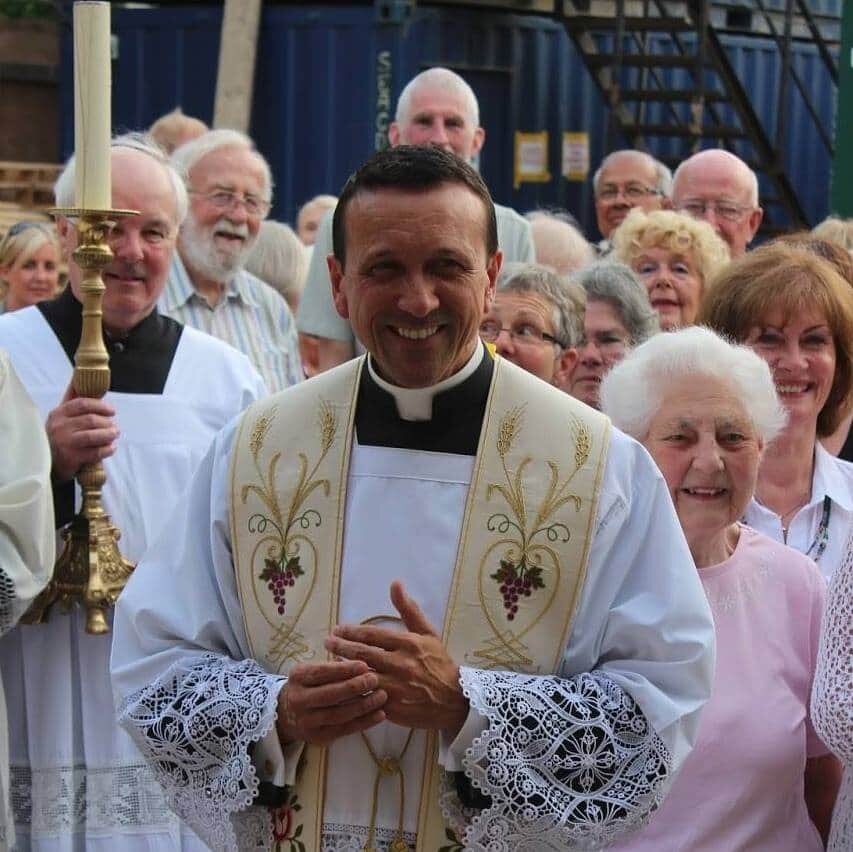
x,y
832,692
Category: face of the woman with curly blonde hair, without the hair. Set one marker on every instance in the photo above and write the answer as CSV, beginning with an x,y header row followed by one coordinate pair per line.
x,y
673,282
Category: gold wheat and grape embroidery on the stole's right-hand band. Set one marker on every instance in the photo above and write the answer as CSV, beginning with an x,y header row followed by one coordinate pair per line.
x,y
528,565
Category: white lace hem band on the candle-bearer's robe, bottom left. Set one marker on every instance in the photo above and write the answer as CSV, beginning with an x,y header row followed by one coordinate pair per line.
x,y
63,799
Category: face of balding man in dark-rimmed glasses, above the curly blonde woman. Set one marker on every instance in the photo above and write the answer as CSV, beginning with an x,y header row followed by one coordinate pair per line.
x,y
627,181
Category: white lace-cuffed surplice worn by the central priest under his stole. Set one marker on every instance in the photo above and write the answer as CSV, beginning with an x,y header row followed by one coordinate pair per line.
x,y
643,630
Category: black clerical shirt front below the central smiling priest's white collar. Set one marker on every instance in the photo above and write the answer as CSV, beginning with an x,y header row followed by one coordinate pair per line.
x,y
458,407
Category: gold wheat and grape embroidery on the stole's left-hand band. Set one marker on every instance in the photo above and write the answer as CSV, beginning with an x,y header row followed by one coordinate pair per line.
x,y
289,555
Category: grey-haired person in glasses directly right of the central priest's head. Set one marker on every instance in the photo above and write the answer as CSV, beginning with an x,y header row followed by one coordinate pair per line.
x,y
536,320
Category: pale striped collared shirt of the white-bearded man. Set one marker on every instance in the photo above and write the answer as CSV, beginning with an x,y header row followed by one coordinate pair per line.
x,y
250,316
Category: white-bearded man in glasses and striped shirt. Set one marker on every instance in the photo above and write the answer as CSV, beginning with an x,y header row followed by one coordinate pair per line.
x,y
230,187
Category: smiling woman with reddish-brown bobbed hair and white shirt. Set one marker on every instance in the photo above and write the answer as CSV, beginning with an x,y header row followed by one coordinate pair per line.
x,y
795,311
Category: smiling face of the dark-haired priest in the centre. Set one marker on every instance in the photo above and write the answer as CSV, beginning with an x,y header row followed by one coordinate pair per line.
x,y
417,280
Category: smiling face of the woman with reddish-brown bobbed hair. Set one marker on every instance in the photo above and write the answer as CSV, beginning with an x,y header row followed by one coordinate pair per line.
x,y
801,353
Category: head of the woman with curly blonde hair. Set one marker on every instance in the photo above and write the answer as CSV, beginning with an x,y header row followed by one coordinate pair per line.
x,y
674,255
